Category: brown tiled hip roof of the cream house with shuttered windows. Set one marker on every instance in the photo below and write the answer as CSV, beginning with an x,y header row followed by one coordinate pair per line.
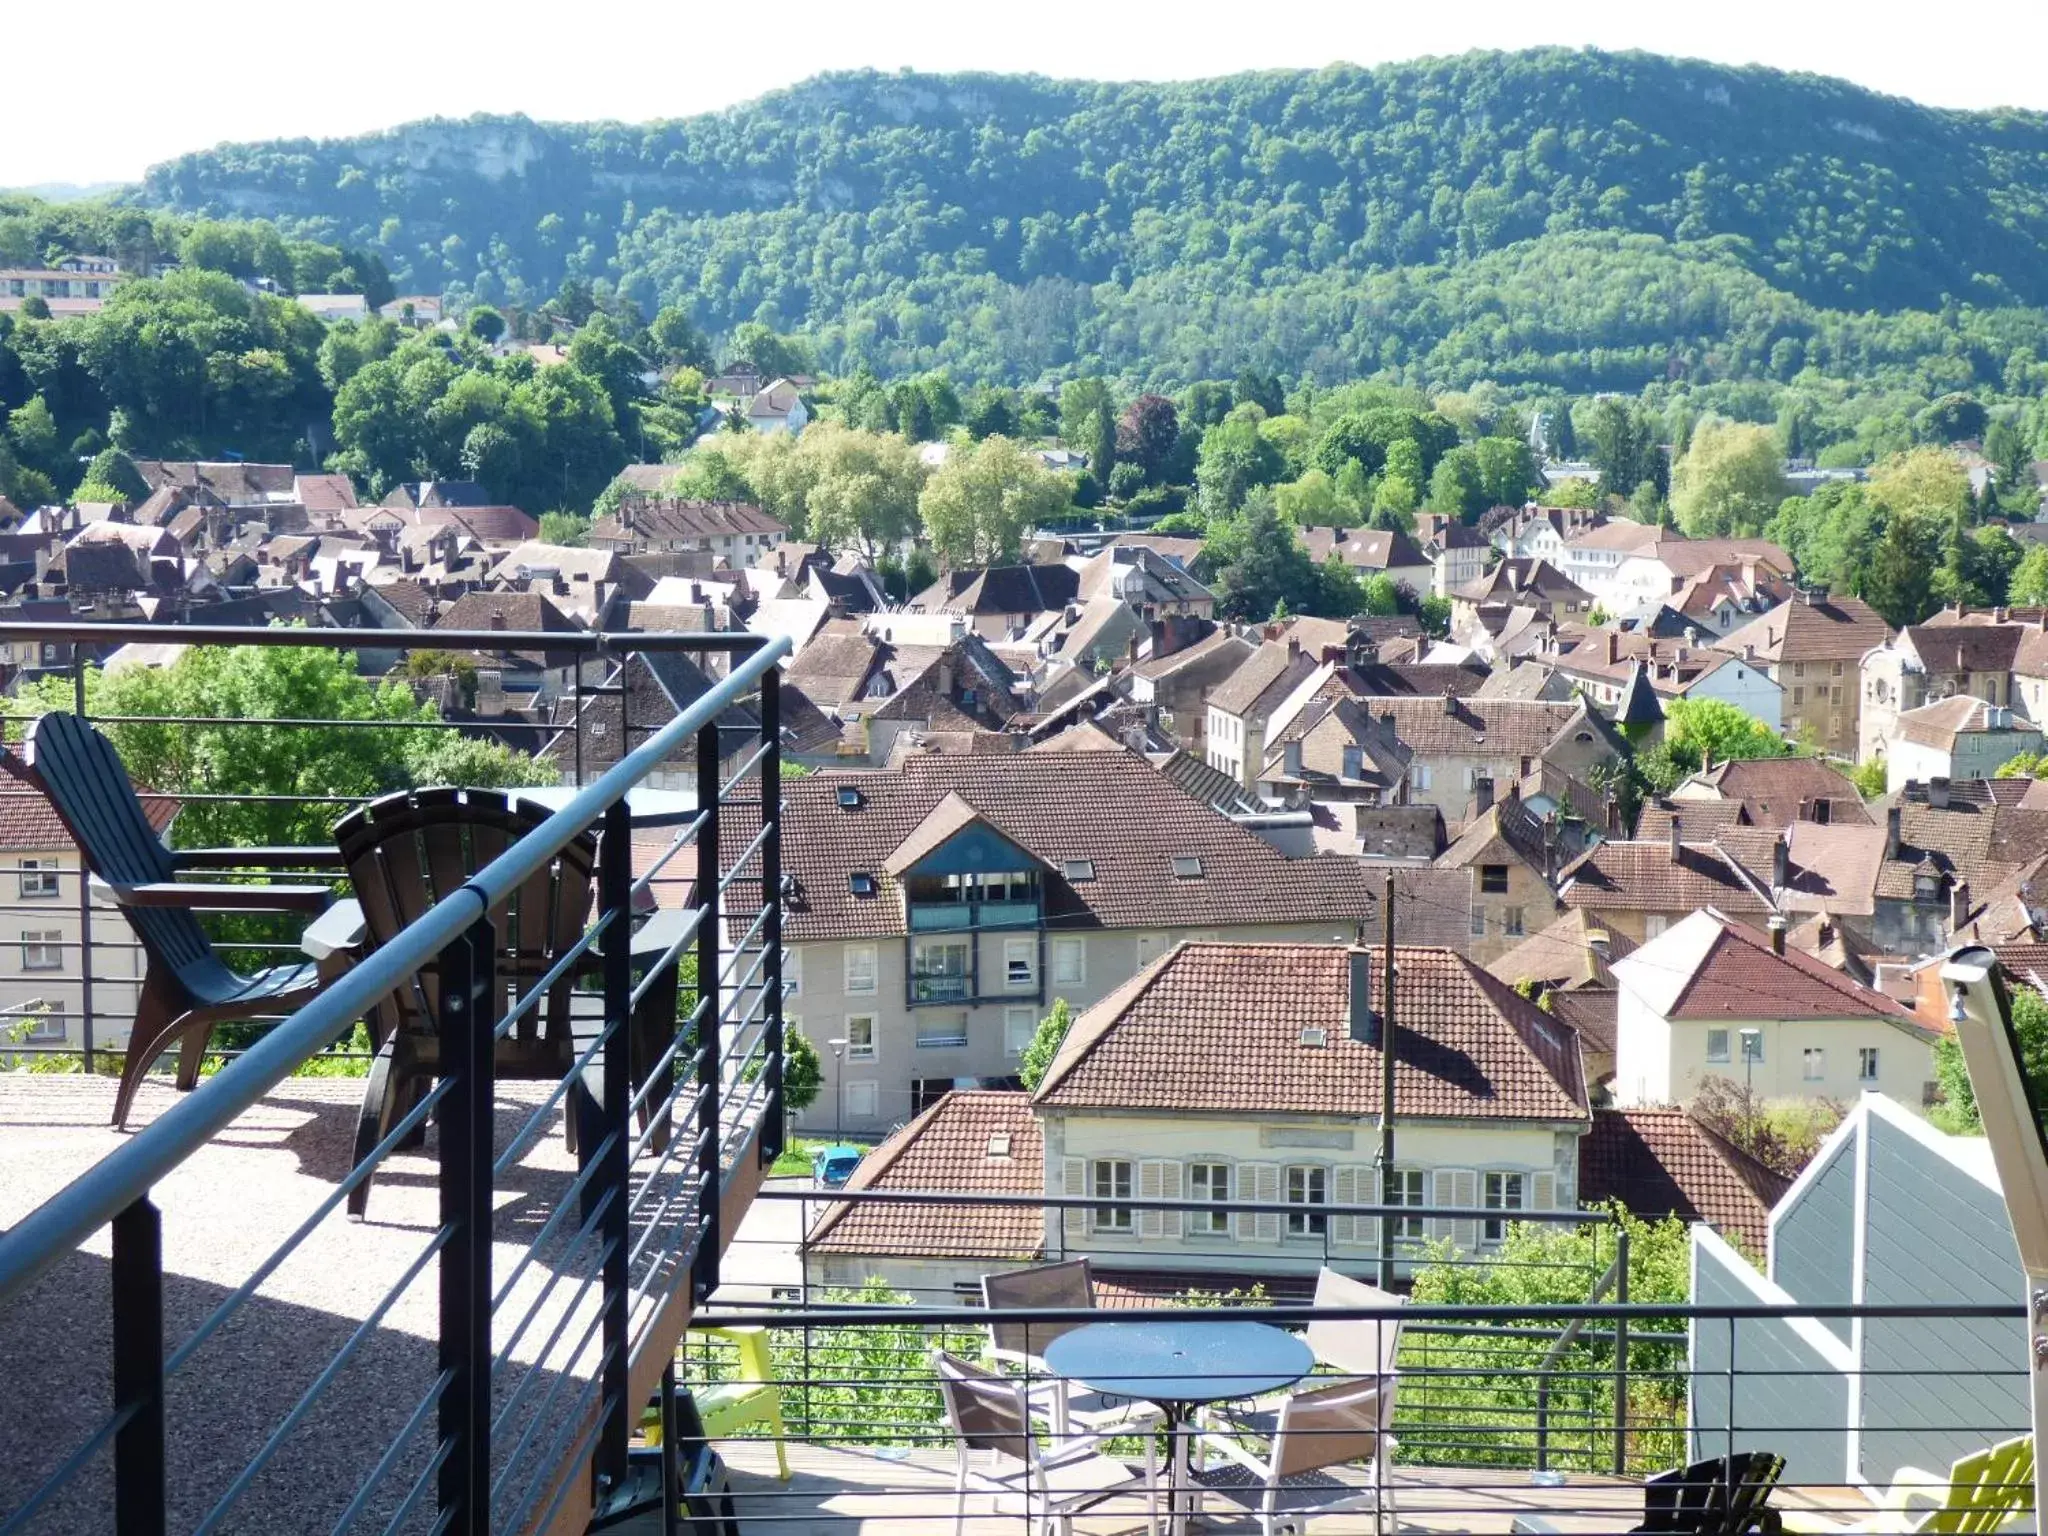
x,y
1218,1029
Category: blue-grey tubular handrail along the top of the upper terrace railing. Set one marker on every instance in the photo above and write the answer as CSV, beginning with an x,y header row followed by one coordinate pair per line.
x,y
40,1240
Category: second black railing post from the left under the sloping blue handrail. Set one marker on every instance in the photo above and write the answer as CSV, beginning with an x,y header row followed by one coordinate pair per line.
x,y
468,1039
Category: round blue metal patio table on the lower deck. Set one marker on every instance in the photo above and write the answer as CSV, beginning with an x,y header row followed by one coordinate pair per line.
x,y
1181,1367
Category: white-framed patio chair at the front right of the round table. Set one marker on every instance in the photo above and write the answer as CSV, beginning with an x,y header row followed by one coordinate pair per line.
x,y
1314,1435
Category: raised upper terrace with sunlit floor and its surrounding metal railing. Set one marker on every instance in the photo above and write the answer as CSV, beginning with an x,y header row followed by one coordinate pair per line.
x,y
202,1338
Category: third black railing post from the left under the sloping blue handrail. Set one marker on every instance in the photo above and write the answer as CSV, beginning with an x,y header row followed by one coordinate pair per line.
x,y
615,892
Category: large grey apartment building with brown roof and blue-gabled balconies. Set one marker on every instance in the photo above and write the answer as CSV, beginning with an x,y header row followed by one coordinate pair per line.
x,y
939,912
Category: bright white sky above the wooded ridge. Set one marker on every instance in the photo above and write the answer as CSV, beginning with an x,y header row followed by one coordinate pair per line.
x,y
173,79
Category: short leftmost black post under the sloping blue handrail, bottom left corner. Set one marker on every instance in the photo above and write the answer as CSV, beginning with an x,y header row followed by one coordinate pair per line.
x,y
138,1347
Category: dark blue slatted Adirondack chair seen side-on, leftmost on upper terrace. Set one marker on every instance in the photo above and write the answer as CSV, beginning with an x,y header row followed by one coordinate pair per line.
x,y
187,988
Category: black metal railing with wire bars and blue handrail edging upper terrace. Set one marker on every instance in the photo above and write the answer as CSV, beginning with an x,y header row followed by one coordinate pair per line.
x,y
534,1293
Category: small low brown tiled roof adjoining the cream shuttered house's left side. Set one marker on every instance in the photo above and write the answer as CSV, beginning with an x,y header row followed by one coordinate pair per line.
x,y
949,1148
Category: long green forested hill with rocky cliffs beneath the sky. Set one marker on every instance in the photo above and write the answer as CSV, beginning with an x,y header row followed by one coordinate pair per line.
x,y
1015,226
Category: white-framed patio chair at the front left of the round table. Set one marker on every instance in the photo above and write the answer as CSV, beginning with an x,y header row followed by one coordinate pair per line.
x,y
1056,1482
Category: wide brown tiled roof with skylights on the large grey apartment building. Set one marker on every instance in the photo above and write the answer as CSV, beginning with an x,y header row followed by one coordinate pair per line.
x,y
1111,808
